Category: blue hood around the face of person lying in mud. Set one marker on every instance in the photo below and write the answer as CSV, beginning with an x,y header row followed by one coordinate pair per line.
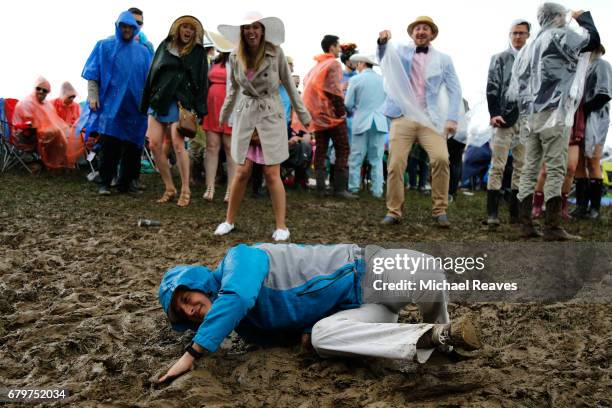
x,y
194,277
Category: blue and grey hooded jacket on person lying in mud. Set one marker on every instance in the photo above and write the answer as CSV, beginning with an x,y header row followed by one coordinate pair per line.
x,y
266,289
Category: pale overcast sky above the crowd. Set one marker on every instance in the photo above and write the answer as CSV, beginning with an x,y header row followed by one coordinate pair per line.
x,y
54,38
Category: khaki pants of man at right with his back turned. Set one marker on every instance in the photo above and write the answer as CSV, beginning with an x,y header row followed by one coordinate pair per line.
x,y
547,147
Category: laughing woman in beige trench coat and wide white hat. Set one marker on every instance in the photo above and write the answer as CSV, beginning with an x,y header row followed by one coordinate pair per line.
x,y
256,69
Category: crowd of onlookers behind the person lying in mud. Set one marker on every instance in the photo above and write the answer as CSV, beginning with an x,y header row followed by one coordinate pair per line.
x,y
547,99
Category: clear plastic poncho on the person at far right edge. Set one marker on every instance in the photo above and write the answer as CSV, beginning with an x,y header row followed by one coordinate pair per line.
x,y
598,82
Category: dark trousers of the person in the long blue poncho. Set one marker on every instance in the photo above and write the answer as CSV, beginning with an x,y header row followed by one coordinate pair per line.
x,y
113,151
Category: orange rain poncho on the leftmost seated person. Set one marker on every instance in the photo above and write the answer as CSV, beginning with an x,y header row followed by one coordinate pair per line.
x,y
55,141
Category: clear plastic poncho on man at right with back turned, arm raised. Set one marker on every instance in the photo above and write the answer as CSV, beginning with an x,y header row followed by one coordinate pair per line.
x,y
549,72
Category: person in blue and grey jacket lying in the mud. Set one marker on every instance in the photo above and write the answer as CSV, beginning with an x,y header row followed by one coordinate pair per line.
x,y
268,292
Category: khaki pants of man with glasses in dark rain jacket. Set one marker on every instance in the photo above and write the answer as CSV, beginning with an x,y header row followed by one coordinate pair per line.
x,y
500,148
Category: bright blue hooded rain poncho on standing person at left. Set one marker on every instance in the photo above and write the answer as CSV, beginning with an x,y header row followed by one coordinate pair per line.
x,y
120,67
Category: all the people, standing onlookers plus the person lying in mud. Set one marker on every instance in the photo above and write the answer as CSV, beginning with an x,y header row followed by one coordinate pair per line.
x,y
548,101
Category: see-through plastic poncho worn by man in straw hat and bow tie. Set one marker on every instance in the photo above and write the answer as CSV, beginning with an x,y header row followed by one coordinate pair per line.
x,y
400,89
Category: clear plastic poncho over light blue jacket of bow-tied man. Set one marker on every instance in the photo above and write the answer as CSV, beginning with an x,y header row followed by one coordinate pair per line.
x,y
399,88
